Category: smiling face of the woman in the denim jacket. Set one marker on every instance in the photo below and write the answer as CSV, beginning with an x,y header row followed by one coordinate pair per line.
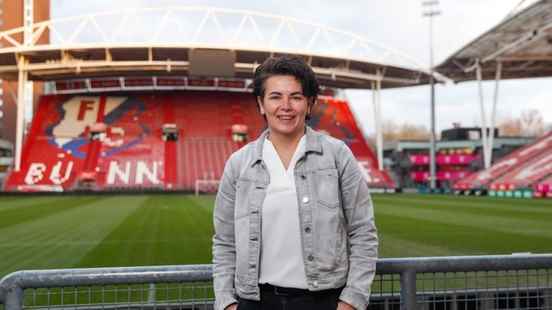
x,y
284,105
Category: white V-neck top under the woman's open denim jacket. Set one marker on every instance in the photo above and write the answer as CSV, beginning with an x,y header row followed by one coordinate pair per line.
x,y
281,252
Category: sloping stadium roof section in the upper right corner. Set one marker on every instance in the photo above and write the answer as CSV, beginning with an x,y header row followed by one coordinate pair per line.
x,y
521,44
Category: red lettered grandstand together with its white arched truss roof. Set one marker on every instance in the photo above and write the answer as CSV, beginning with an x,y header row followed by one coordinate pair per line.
x,y
151,113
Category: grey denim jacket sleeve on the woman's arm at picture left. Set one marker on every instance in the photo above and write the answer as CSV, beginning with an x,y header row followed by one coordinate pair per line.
x,y
224,250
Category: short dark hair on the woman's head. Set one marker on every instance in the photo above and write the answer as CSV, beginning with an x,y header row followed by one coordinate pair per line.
x,y
286,65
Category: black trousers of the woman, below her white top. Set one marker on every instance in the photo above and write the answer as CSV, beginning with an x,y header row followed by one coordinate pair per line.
x,y
274,300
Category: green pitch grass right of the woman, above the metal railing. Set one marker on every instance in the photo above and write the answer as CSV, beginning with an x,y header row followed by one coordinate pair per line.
x,y
415,225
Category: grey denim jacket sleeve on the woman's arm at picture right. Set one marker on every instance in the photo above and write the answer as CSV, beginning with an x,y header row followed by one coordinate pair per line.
x,y
361,230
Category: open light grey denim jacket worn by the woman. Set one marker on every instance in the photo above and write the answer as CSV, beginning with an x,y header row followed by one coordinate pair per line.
x,y
338,233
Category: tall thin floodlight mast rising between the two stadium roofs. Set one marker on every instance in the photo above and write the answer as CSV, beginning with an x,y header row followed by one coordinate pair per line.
x,y
431,9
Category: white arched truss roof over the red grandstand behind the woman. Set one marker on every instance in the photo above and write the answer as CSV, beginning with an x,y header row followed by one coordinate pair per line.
x,y
198,41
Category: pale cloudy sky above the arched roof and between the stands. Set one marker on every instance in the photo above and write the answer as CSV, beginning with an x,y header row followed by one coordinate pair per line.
x,y
397,24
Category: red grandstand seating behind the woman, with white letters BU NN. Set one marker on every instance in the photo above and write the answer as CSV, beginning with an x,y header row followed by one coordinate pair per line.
x,y
157,140
